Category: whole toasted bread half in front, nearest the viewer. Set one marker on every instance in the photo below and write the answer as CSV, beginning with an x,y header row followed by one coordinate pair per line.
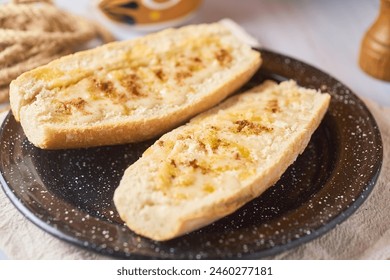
x,y
220,160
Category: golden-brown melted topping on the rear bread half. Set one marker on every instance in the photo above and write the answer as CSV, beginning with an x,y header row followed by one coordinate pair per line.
x,y
142,80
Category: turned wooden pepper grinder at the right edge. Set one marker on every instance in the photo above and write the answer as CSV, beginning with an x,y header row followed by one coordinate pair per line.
x,y
375,49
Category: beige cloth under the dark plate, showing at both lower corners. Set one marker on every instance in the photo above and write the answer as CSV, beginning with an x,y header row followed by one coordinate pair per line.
x,y
365,235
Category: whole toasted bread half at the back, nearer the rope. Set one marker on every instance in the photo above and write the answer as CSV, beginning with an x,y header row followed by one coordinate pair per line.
x,y
132,90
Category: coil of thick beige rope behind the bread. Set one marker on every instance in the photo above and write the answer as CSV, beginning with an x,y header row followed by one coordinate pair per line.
x,y
34,32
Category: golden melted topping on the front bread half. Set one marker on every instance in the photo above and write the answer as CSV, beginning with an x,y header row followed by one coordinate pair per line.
x,y
224,148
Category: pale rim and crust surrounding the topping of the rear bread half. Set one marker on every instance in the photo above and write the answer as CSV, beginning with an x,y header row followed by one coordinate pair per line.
x,y
33,86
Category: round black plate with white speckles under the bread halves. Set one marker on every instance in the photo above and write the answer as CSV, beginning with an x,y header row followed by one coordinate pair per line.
x,y
69,193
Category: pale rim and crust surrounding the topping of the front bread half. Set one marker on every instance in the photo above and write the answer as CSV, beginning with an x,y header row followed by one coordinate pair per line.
x,y
141,202
